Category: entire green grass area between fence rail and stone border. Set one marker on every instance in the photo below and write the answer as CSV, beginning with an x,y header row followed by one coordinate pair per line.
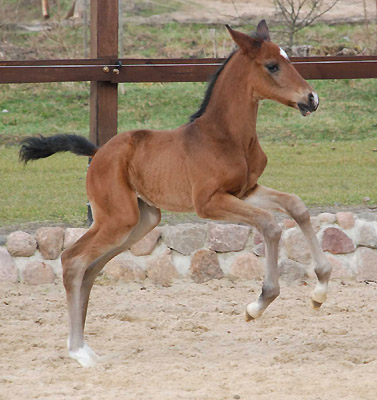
x,y
329,158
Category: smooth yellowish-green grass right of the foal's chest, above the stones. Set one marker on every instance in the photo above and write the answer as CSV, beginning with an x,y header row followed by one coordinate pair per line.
x,y
340,173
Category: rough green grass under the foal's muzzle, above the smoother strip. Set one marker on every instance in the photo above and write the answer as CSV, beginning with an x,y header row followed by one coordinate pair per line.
x,y
347,112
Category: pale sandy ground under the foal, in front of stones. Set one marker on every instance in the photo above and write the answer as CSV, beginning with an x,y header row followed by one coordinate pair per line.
x,y
190,341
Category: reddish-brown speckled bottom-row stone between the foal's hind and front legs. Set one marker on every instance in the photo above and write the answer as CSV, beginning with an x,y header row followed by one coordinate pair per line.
x,y
205,266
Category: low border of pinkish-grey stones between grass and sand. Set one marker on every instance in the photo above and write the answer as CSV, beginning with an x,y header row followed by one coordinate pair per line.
x,y
202,252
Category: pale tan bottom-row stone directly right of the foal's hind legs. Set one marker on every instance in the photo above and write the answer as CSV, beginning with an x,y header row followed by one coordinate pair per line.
x,y
124,269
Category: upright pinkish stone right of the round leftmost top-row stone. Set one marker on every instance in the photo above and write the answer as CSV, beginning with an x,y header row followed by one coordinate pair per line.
x,y
50,242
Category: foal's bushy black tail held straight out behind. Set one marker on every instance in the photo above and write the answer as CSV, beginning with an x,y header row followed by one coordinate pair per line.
x,y
36,147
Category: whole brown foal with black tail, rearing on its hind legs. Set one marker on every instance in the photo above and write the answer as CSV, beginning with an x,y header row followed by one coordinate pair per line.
x,y
210,165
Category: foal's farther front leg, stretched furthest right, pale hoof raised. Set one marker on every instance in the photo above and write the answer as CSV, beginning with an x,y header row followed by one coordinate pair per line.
x,y
292,205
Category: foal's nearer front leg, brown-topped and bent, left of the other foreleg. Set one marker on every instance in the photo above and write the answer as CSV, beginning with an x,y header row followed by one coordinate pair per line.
x,y
223,206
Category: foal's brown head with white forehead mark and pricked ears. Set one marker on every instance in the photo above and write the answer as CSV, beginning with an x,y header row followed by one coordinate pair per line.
x,y
272,75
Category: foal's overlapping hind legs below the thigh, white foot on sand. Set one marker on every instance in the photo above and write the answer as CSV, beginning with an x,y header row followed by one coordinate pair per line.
x,y
84,260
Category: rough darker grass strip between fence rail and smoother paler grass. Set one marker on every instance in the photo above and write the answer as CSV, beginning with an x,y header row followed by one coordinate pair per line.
x,y
347,110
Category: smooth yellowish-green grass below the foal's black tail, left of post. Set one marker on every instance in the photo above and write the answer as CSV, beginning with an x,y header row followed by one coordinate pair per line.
x,y
48,190
